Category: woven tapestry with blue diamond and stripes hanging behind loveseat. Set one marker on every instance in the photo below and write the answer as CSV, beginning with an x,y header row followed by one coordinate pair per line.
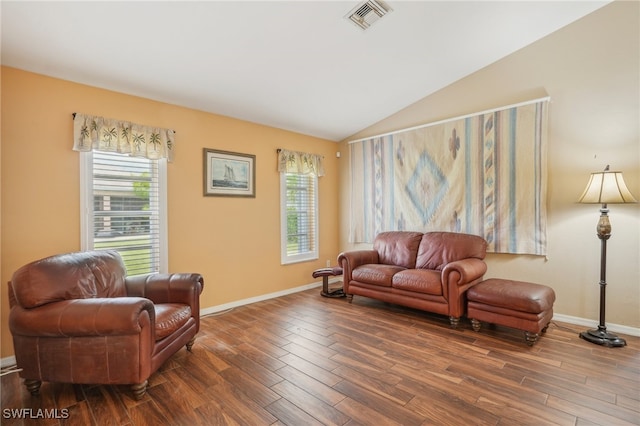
x,y
483,174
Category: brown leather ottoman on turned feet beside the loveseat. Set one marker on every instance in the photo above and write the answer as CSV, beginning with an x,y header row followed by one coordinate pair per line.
x,y
517,304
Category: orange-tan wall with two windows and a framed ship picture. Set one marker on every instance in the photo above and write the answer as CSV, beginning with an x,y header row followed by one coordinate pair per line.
x,y
233,242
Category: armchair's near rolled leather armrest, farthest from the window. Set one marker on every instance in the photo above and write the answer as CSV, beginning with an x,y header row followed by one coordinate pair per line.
x,y
83,317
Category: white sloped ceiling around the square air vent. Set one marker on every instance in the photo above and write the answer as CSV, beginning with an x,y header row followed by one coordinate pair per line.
x,y
295,65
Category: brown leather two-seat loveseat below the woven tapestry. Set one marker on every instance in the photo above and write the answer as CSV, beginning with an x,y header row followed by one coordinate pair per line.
x,y
430,271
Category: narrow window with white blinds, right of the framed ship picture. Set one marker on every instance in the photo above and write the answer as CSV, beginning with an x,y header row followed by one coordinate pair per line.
x,y
299,217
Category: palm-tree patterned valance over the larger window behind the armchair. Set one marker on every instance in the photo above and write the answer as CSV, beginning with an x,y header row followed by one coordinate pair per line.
x,y
106,134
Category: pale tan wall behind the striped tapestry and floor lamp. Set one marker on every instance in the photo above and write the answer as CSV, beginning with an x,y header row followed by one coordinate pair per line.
x,y
590,69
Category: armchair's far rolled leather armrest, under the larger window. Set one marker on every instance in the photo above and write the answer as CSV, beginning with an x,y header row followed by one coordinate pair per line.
x,y
168,288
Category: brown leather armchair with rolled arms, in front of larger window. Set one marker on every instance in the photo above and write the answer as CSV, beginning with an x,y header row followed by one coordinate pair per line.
x,y
77,318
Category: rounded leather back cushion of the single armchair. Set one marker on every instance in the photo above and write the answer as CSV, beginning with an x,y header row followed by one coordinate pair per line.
x,y
79,275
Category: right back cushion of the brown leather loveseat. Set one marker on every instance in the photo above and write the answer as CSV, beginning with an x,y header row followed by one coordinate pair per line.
x,y
439,248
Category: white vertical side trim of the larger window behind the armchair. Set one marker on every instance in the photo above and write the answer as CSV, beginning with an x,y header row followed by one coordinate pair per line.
x,y
86,208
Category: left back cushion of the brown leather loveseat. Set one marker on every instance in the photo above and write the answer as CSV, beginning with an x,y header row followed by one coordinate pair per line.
x,y
398,248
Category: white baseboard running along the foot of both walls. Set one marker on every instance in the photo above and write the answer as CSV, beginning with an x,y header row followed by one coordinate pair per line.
x,y
616,328
